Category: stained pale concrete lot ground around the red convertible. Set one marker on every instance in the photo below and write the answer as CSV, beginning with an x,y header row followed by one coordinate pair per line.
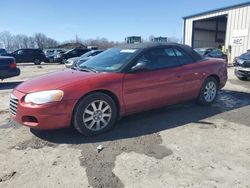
x,y
184,145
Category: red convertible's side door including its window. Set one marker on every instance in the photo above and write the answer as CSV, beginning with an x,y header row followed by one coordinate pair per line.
x,y
157,85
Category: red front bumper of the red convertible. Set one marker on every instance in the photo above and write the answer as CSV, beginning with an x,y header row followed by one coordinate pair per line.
x,y
48,116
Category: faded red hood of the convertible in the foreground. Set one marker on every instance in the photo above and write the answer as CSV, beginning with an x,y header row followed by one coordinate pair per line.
x,y
54,80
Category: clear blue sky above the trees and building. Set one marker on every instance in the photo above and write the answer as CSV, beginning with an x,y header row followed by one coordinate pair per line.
x,y
112,19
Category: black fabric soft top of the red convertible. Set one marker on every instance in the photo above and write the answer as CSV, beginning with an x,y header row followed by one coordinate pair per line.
x,y
148,45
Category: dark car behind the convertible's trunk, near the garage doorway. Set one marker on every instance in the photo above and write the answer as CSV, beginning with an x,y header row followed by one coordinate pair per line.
x,y
211,52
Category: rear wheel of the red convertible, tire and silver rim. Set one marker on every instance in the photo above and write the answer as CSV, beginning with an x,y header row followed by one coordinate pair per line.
x,y
208,91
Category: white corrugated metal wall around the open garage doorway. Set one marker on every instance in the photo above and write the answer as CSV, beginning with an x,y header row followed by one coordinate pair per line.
x,y
238,20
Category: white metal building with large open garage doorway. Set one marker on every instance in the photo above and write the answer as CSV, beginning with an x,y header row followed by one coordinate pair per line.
x,y
227,27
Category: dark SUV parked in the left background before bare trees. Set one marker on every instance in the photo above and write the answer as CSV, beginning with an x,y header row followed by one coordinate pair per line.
x,y
28,55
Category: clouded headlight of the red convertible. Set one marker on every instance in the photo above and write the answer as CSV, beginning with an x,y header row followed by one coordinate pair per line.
x,y
43,97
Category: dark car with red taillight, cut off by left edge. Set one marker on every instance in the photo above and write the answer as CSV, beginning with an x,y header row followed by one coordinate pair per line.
x,y
8,67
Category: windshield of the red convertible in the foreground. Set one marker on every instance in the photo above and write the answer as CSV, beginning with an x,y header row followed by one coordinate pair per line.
x,y
111,60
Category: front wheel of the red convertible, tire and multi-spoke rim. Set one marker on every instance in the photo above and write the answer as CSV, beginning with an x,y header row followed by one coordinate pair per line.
x,y
86,118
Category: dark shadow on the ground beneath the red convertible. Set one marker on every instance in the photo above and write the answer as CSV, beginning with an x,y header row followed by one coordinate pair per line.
x,y
153,121
